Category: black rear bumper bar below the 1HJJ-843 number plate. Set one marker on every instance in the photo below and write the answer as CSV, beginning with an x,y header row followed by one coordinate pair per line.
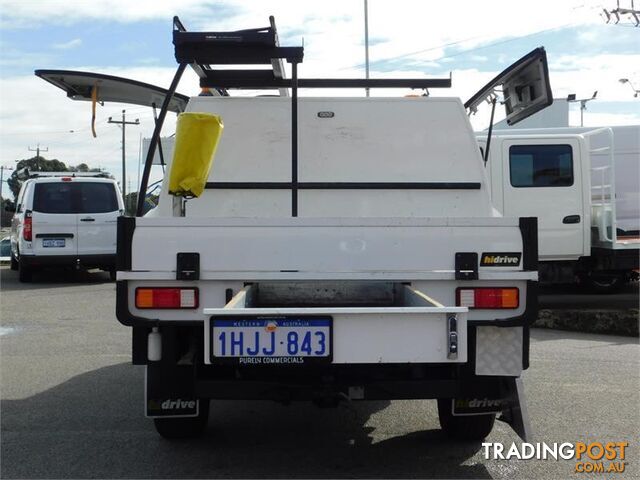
x,y
362,382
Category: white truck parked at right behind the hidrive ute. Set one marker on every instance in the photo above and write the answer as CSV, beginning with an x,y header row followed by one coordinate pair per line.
x,y
583,185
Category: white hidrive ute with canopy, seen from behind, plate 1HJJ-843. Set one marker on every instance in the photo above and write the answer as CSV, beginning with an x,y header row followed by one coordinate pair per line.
x,y
343,248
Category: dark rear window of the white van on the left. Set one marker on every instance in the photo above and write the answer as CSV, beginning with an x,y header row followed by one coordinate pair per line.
x,y
79,197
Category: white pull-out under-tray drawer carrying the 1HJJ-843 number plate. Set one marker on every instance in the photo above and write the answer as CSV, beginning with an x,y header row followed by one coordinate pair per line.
x,y
401,325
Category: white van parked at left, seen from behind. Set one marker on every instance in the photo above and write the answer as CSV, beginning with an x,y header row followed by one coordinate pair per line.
x,y
65,219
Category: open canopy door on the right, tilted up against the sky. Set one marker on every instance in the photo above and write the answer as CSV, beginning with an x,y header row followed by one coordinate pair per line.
x,y
525,87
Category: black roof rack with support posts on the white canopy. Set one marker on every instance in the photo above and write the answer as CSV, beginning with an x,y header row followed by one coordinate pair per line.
x,y
258,46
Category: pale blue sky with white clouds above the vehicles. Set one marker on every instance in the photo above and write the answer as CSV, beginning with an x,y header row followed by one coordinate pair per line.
x,y
471,40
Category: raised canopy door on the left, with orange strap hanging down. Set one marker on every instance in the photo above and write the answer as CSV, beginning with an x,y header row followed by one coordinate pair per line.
x,y
80,85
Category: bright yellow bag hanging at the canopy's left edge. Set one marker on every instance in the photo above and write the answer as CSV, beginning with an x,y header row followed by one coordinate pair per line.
x,y
197,137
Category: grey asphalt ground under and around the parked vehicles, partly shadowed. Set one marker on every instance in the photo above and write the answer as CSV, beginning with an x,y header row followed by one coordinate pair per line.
x,y
72,407
